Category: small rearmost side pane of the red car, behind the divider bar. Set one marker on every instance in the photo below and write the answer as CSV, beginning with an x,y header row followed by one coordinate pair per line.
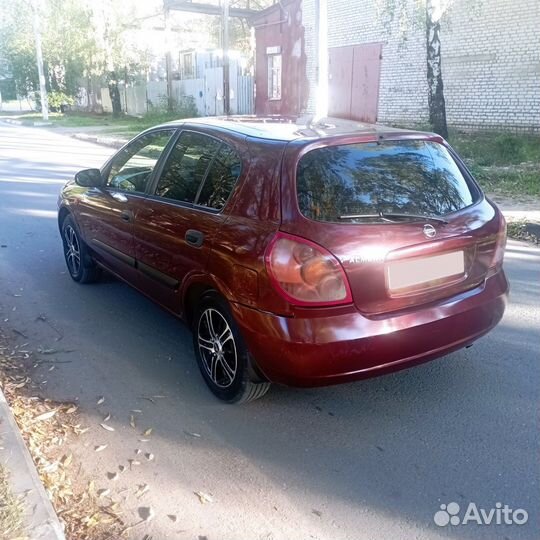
x,y
221,178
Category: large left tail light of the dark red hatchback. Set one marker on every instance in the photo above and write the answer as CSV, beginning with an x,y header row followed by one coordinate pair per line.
x,y
305,273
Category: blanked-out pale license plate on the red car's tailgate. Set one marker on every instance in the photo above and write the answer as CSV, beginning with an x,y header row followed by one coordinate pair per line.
x,y
405,274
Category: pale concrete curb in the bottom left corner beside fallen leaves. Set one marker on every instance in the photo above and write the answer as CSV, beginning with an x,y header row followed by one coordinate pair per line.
x,y
41,521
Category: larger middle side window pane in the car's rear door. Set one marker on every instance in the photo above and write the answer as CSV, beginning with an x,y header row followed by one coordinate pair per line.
x,y
186,167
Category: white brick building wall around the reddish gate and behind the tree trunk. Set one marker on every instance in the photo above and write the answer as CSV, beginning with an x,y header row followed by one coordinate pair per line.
x,y
490,55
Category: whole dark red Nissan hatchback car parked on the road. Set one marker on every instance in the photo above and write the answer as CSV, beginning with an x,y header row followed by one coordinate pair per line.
x,y
299,253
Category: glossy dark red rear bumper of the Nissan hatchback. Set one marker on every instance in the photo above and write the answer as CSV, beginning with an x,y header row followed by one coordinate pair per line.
x,y
318,351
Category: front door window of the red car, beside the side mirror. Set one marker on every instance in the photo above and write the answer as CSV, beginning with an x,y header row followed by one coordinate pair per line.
x,y
132,167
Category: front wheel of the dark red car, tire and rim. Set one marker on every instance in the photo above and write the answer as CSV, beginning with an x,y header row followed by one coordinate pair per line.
x,y
79,262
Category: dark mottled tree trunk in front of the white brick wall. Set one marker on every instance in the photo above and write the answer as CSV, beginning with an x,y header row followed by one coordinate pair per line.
x,y
437,106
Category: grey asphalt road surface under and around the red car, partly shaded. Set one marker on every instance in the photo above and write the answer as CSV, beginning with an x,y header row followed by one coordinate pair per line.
x,y
372,460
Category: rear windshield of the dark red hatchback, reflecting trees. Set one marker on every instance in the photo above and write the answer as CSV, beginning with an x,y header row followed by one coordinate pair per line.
x,y
401,177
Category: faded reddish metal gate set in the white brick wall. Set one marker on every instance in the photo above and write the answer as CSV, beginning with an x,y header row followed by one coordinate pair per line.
x,y
353,88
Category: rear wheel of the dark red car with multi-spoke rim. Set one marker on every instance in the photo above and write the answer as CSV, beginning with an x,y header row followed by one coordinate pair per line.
x,y
222,356
